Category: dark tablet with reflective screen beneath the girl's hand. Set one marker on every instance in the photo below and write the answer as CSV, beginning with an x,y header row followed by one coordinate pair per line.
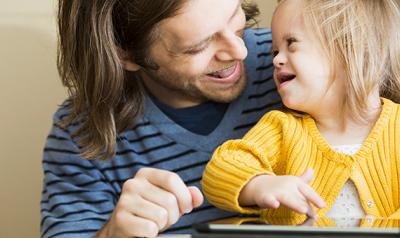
x,y
323,227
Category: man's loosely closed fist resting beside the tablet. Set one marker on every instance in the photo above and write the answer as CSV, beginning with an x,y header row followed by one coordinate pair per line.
x,y
149,203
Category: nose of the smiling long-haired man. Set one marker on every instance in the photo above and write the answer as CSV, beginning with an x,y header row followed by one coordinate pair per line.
x,y
231,47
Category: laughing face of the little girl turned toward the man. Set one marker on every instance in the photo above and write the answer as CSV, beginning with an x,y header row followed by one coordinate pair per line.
x,y
302,69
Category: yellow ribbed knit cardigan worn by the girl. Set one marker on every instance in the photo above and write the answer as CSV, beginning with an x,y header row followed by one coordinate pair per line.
x,y
283,144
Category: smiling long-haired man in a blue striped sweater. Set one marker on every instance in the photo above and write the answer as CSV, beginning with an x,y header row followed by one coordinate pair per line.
x,y
155,86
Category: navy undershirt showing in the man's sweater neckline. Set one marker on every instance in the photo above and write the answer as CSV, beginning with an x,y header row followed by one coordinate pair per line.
x,y
200,119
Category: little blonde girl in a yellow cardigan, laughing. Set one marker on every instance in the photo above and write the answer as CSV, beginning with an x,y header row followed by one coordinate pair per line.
x,y
337,148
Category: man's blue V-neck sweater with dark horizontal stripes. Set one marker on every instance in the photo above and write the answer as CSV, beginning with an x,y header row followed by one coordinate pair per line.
x,y
79,195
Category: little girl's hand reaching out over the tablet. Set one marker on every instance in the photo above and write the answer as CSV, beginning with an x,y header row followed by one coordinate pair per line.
x,y
293,192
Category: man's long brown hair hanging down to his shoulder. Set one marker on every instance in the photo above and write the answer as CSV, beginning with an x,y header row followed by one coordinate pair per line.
x,y
93,34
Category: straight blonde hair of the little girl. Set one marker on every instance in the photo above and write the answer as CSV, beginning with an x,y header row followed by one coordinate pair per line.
x,y
363,37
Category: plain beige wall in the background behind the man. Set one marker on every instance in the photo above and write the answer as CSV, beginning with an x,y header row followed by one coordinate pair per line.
x,y
29,94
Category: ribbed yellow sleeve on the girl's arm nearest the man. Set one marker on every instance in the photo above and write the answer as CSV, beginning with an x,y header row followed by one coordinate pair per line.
x,y
236,162
